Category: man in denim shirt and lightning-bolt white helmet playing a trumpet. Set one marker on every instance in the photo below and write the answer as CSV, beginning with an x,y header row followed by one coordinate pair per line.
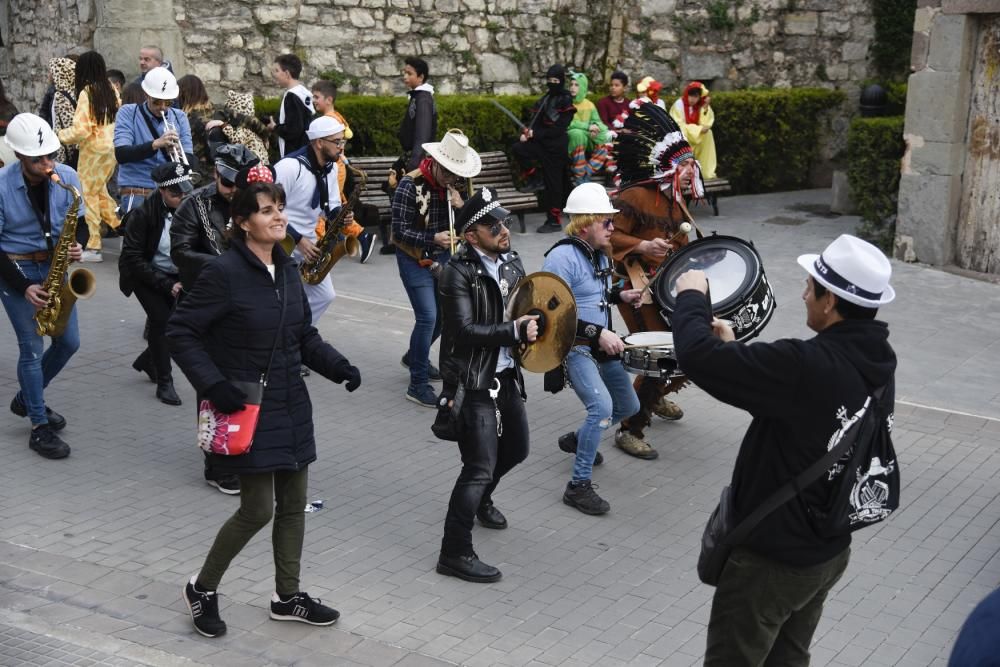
x,y
143,140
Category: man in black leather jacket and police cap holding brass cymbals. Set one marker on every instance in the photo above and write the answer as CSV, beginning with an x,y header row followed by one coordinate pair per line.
x,y
478,369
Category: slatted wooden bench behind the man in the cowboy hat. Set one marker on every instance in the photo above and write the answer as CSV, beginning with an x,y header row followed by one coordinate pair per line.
x,y
496,173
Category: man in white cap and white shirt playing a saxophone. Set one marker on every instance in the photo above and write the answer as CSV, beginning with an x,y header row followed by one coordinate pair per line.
x,y
309,176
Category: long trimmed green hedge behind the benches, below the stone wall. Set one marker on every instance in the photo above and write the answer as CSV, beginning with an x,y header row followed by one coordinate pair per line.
x,y
766,139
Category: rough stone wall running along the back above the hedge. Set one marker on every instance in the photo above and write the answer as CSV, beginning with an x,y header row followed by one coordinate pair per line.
x,y
491,46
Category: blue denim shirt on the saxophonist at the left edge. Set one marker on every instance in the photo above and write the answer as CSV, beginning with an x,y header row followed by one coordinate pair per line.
x,y
20,230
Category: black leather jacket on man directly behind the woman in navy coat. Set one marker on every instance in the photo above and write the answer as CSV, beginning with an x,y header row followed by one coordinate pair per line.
x,y
190,245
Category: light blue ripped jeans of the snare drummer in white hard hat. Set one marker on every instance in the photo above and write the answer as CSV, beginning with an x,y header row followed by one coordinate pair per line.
x,y
605,389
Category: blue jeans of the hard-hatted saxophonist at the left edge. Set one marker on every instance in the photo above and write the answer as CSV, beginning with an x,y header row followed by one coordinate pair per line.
x,y
36,369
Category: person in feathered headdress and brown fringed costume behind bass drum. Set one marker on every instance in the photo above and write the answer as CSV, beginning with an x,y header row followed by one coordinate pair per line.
x,y
649,148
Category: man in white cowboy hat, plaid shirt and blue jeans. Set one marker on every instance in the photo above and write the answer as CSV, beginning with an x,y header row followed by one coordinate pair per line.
x,y
422,206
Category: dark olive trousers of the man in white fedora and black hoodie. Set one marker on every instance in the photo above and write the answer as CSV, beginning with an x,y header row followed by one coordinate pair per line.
x,y
765,612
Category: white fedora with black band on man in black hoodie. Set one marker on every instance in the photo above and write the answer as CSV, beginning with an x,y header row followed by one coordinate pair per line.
x,y
854,270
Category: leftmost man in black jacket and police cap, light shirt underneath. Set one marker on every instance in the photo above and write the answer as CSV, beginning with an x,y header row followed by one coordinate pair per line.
x,y
145,269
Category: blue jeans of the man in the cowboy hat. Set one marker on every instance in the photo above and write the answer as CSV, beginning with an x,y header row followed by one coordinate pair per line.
x,y
421,288
